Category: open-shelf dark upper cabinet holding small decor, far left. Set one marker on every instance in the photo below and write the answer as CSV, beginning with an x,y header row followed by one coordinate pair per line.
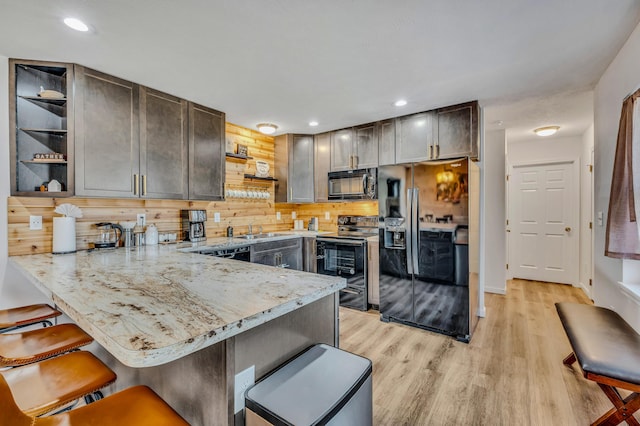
x,y
41,128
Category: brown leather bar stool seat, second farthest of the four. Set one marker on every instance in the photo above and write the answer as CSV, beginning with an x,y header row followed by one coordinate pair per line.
x,y
35,345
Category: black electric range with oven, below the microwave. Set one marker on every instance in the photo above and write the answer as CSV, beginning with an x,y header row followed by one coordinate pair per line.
x,y
345,254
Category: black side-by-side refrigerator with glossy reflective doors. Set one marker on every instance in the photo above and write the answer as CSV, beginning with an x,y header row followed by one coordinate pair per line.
x,y
429,228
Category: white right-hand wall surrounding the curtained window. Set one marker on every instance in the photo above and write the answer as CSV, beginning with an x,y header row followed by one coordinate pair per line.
x,y
620,79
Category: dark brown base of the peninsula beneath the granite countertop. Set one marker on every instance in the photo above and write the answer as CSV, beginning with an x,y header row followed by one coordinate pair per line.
x,y
200,386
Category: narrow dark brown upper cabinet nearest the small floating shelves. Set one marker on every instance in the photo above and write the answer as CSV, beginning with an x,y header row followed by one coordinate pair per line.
x,y
206,153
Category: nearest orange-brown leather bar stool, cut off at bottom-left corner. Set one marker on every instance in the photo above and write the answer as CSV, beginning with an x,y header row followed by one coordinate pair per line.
x,y
138,406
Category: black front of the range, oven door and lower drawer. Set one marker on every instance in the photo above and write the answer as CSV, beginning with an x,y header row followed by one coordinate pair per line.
x,y
348,259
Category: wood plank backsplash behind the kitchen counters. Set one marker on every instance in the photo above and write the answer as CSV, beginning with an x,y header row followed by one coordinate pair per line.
x,y
165,214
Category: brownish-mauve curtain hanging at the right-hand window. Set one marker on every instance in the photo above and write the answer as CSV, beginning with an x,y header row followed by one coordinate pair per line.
x,y
623,232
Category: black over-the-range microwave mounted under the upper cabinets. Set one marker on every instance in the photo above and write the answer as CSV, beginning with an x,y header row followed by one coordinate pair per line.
x,y
358,184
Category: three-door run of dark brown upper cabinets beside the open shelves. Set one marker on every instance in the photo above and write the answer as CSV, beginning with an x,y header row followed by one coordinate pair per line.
x,y
134,141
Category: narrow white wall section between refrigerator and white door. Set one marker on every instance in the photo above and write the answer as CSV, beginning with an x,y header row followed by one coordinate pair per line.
x,y
494,237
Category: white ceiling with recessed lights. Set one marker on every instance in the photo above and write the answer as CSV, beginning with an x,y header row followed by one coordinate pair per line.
x,y
342,62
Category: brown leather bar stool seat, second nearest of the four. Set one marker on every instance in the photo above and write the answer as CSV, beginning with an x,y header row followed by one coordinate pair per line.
x,y
54,383
